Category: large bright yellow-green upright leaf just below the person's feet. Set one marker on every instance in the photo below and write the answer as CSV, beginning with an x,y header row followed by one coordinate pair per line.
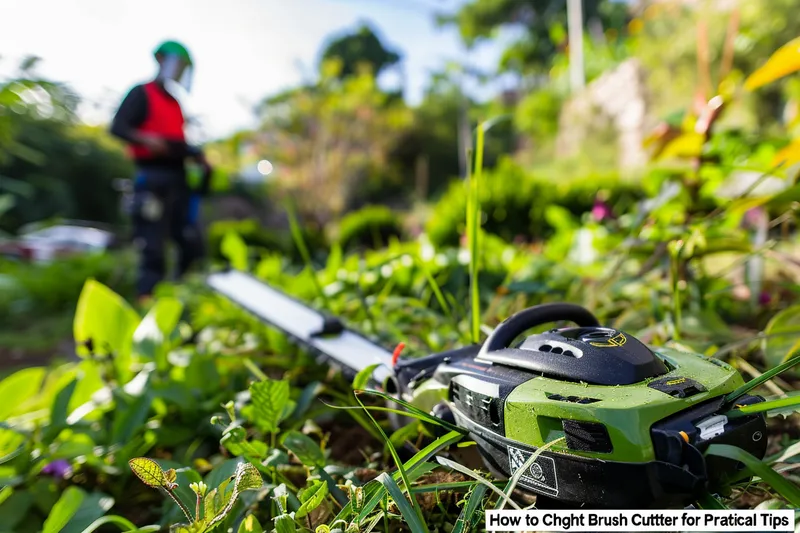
x,y
105,321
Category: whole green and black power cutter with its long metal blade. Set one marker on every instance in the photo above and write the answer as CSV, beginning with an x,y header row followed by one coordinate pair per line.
x,y
631,422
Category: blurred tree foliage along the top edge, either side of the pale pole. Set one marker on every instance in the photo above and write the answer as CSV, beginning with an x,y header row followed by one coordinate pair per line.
x,y
543,24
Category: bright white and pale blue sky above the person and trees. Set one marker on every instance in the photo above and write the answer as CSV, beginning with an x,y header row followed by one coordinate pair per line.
x,y
244,50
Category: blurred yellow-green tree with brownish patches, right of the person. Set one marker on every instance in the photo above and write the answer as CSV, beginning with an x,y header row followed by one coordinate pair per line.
x,y
330,143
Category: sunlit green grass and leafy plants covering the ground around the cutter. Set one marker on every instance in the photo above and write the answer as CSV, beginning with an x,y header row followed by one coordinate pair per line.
x,y
211,390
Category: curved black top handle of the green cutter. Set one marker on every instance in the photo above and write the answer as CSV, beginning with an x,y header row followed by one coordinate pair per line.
x,y
510,328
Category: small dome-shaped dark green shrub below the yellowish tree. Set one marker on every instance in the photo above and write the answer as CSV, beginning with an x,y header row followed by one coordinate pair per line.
x,y
369,227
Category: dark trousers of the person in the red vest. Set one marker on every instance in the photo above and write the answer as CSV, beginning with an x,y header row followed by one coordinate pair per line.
x,y
162,213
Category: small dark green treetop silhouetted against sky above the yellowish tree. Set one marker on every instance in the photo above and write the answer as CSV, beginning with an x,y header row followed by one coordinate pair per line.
x,y
360,48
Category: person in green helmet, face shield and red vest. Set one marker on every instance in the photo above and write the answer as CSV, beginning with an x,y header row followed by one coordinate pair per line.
x,y
163,208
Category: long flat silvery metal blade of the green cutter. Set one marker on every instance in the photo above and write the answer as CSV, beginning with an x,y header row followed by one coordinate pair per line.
x,y
302,323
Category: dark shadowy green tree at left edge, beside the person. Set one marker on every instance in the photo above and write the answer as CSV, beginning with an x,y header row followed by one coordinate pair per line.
x,y
50,164
